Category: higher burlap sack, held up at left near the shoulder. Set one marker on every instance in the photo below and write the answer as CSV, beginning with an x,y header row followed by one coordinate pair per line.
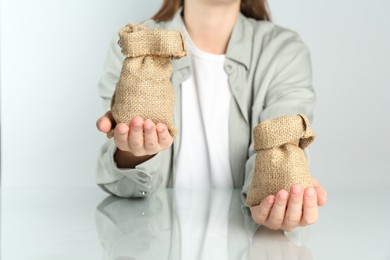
x,y
144,88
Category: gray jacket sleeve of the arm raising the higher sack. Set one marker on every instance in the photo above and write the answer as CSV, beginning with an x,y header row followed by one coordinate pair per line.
x,y
144,178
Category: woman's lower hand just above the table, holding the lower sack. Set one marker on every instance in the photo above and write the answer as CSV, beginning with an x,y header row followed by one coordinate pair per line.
x,y
286,211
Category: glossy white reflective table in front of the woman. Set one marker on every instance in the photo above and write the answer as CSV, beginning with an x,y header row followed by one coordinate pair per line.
x,y
85,223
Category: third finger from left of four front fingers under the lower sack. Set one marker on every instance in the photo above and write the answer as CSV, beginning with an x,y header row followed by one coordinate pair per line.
x,y
294,208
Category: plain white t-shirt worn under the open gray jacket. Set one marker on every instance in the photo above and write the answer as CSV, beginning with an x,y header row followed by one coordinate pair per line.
x,y
203,159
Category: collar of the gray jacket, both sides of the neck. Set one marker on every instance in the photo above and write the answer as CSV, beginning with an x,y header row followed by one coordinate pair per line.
x,y
239,46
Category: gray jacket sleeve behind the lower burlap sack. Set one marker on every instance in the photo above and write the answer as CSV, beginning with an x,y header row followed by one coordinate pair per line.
x,y
289,91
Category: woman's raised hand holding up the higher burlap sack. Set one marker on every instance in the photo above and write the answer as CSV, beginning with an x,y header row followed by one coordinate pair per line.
x,y
136,142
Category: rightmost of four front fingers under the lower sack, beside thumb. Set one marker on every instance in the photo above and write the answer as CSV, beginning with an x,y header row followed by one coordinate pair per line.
x,y
310,209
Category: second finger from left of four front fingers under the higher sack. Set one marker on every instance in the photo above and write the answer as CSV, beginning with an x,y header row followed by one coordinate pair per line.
x,y
136,136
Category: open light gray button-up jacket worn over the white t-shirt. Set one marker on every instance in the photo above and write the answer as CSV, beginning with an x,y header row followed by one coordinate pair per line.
x,y
269,73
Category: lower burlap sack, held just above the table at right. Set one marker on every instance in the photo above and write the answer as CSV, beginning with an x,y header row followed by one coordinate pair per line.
x,y
280,159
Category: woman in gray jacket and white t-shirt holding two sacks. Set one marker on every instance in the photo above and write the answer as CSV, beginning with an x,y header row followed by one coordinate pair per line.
x,y
241,70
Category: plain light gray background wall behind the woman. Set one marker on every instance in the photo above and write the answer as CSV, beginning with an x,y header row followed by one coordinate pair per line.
x,y
52,54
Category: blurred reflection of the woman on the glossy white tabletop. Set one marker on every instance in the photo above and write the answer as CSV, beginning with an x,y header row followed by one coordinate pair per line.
x,y
190,224
